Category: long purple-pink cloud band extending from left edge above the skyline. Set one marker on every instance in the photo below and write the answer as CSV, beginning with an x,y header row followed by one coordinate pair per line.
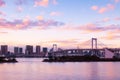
x,y
26,23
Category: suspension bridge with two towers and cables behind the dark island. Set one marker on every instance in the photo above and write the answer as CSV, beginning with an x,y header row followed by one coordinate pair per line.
x,y
91,47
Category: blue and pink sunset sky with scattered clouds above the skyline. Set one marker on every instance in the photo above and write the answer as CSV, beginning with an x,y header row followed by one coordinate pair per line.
x,y
67,23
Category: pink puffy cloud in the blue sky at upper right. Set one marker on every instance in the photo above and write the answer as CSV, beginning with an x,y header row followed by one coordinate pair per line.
x,y
104,9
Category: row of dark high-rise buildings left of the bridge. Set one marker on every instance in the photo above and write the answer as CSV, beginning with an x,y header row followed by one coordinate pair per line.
x,y
27,49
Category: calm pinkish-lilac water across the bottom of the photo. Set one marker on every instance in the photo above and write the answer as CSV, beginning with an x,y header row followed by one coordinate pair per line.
x,y
34,69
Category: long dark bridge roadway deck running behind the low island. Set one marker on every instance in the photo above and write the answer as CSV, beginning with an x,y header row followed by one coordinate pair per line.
x,y
81,52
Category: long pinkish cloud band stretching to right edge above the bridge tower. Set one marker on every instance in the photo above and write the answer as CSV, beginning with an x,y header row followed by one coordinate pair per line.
x,y
91,27
